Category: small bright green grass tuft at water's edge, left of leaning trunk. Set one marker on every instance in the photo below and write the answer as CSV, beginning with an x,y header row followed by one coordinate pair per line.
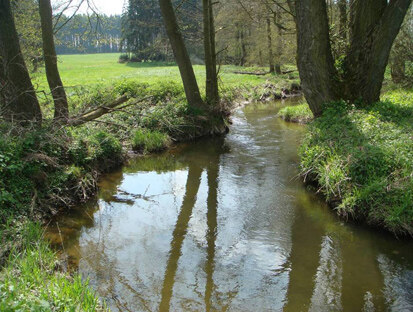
x,y
145,141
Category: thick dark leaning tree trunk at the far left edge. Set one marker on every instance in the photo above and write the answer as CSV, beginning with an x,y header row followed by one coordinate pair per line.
x,y
17,92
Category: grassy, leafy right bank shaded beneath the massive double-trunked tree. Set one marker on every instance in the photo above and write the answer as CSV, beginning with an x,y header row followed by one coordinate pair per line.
x,y
362,160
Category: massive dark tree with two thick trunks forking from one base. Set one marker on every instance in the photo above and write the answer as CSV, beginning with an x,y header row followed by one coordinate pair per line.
x,y
374,24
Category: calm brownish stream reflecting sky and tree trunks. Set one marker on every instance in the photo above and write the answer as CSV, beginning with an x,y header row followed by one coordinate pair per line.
x,y
223,224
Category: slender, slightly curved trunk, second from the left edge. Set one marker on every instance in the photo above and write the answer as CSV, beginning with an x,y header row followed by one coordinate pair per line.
x,y
52,72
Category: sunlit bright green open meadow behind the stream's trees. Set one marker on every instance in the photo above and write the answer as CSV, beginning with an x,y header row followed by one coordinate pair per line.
x,y
104,69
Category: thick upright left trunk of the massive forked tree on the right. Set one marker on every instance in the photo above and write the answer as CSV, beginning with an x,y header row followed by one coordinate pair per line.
x,y
315,61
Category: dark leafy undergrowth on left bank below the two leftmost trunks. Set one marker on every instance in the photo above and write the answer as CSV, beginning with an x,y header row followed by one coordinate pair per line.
x,y
52,168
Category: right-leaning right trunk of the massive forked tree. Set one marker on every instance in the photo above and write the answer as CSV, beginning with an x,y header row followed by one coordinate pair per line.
x,y
374,27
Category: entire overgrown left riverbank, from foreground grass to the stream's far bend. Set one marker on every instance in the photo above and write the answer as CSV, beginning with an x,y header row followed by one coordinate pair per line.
x,y
49,170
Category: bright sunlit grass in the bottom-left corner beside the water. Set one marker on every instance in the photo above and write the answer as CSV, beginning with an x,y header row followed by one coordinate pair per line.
x,y
31,280
